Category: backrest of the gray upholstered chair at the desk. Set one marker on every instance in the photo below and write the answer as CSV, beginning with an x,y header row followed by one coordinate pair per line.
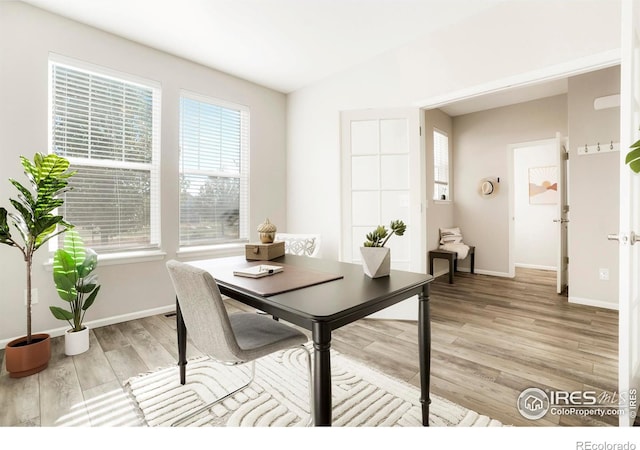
x,y
204,312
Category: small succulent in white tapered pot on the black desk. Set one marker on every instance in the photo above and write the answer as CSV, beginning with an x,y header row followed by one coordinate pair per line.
x,y
376,258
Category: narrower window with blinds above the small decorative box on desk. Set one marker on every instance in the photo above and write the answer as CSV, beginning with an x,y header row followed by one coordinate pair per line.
x,y
214,171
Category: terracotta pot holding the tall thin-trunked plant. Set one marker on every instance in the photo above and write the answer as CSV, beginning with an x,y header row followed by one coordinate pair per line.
x,y
24,360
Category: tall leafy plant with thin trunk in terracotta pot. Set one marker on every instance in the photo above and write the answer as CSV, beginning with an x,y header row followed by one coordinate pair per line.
x,y
36,224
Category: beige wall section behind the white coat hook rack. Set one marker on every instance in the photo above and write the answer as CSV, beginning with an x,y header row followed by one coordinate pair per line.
x,y
593,190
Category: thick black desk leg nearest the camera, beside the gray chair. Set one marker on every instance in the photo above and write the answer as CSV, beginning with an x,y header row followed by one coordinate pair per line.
x,y
322,374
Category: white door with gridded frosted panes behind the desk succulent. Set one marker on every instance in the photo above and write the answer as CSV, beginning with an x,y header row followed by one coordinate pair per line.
x,y
381,182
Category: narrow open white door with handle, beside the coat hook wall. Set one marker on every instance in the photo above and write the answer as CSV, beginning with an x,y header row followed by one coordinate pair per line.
x,y
562,218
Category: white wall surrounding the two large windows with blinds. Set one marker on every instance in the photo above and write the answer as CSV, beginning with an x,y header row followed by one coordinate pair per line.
x,y
27,35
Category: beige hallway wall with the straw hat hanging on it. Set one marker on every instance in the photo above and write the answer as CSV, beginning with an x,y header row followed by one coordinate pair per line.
x,y
481,142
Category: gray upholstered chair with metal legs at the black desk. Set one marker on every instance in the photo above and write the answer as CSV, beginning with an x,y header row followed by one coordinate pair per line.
x,y
228,338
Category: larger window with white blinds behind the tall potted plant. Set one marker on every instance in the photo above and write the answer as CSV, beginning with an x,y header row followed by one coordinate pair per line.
x,y
107,126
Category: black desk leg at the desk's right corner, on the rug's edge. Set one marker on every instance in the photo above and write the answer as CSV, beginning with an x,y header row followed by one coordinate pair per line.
x,y
424,347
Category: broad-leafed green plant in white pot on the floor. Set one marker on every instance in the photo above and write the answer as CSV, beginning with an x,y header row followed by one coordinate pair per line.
x,y
76,283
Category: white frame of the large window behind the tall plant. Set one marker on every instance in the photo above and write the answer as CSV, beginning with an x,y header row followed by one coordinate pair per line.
x,y
153,250
